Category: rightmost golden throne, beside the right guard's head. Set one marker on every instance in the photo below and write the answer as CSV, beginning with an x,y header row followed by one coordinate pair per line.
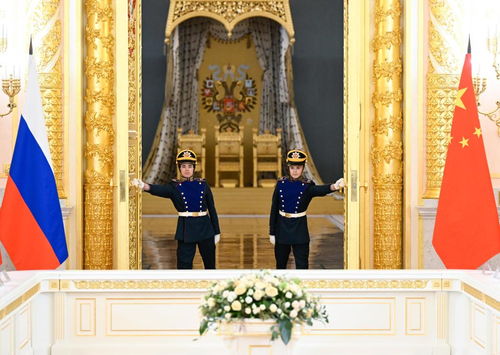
x,y
266,157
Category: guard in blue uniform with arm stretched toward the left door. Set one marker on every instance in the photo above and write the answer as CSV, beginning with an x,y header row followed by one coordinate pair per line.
x,y
198,224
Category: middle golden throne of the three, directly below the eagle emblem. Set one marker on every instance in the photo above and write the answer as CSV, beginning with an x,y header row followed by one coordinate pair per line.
x,y
228,156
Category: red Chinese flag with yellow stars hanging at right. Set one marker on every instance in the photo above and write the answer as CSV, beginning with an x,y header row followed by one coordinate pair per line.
x,y
466,233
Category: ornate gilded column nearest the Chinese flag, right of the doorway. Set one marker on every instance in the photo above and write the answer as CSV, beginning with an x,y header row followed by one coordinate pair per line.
x,y
387,149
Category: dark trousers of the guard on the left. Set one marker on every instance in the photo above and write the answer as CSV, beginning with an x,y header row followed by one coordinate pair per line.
x,y
186,251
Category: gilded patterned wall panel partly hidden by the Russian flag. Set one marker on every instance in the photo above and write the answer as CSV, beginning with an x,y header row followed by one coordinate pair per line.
x,y
47,46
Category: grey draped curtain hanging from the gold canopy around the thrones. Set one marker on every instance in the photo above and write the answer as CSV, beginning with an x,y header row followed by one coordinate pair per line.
x,y
180,108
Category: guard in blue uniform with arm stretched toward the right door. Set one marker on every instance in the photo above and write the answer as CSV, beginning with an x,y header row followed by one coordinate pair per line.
x,y
288,222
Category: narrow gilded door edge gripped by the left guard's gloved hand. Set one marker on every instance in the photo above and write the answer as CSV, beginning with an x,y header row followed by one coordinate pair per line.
x,y
135,133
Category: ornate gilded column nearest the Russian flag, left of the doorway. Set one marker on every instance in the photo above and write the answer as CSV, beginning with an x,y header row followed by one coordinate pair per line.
x,y
99,113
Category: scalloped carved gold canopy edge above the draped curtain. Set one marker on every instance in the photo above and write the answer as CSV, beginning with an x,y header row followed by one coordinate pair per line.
x,y
229,13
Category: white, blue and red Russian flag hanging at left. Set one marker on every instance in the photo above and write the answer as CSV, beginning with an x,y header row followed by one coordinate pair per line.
x,y
31,224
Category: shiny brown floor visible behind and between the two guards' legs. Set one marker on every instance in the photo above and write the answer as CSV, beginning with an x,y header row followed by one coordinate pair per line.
x,y
244,243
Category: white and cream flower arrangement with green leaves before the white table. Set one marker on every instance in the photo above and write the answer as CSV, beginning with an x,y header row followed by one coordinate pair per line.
x,y
263,296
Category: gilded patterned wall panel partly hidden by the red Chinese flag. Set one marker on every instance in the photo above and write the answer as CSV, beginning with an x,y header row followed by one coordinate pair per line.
x,y
446,51
